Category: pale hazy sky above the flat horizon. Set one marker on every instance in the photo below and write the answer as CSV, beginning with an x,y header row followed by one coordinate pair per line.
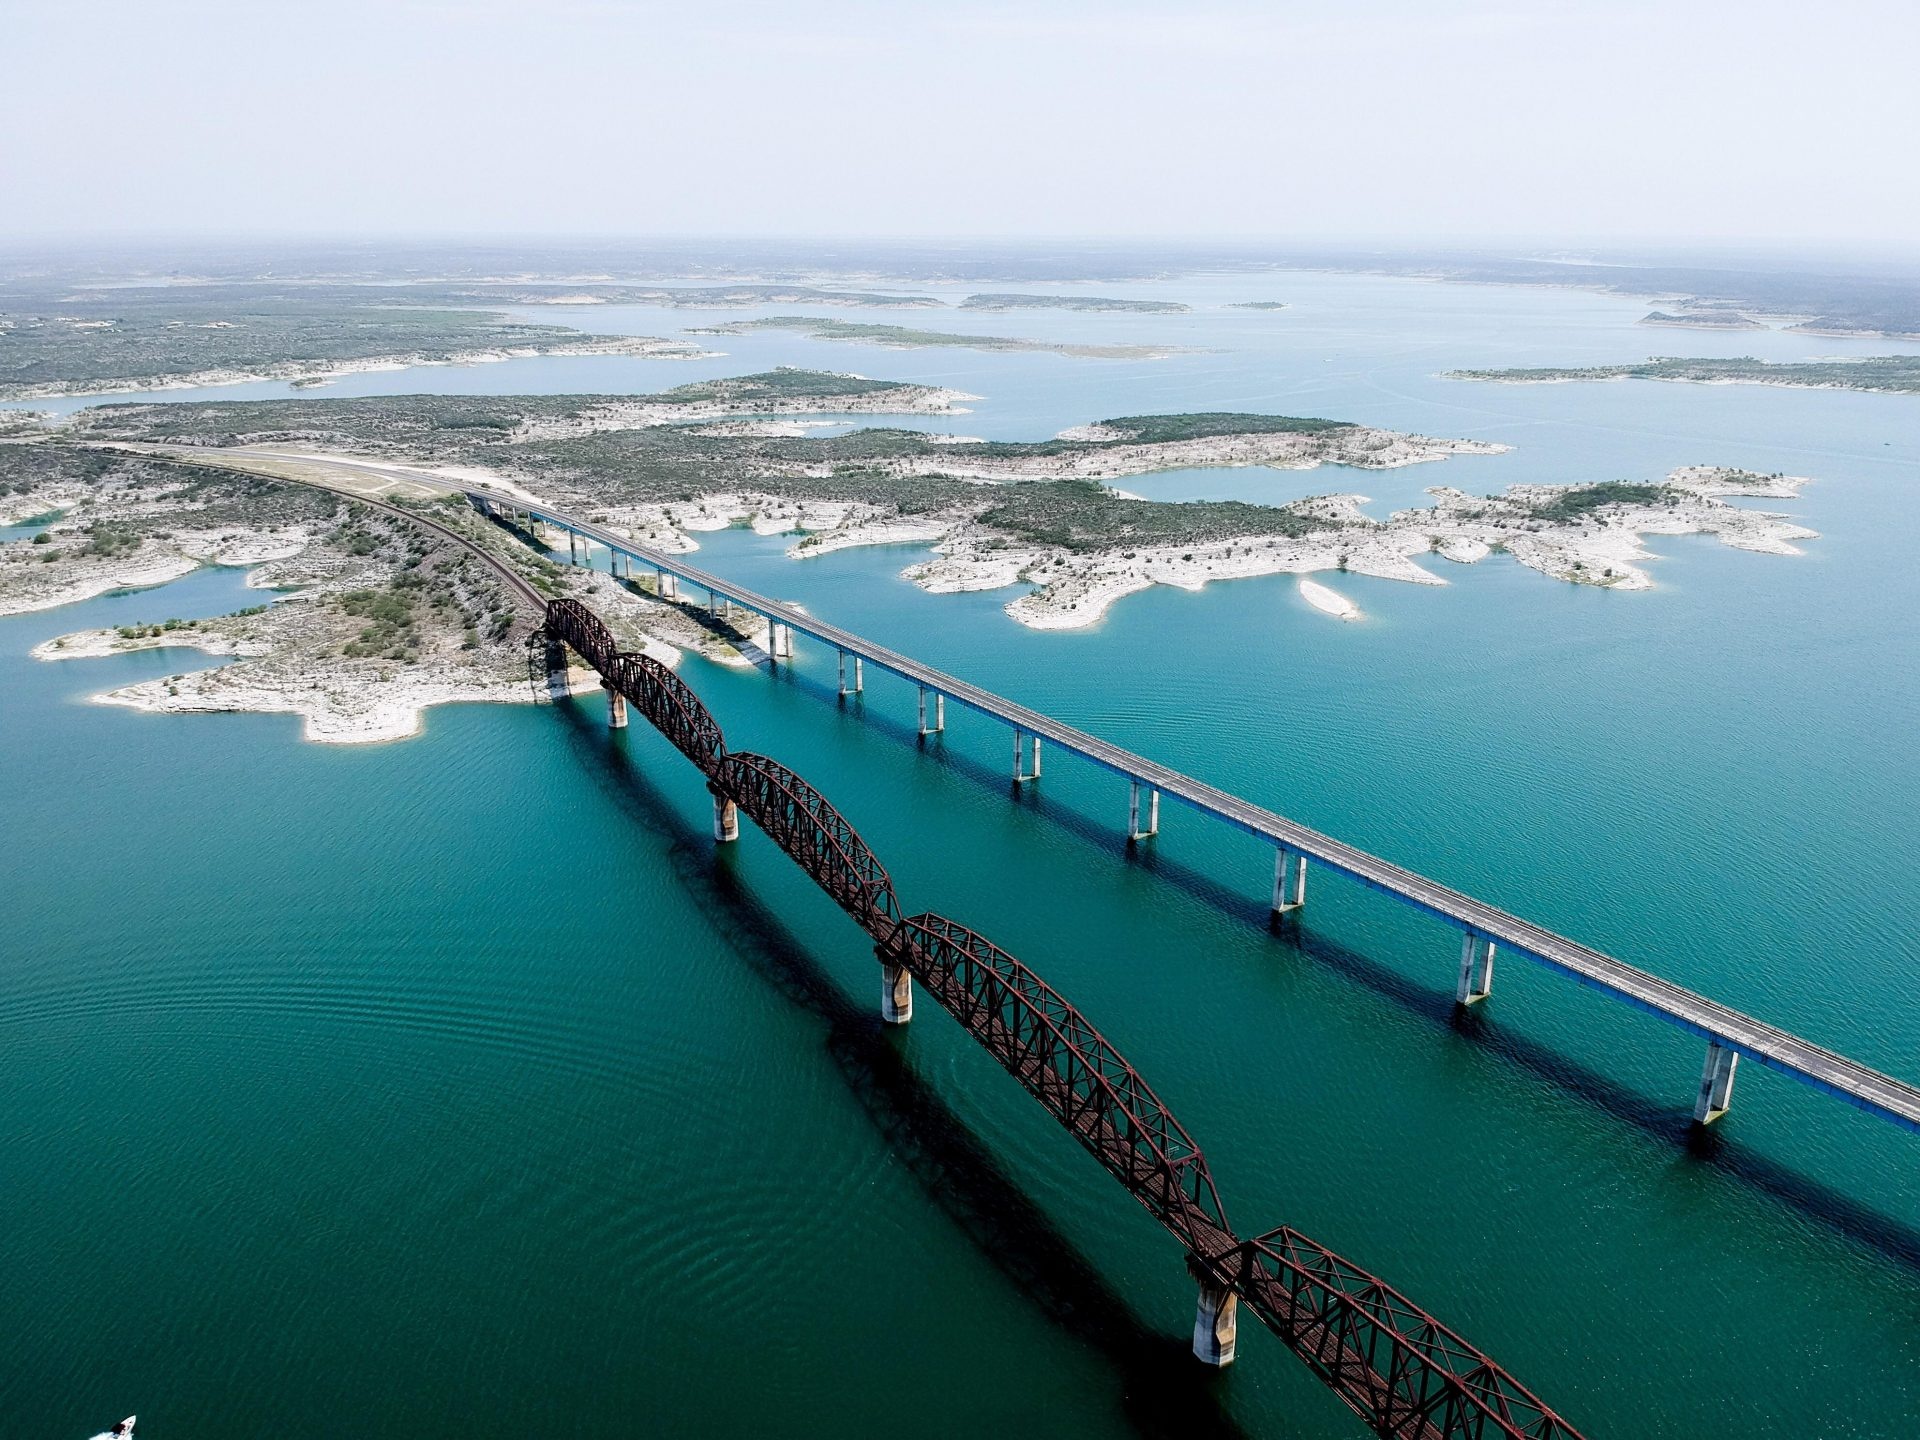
x,y
1366,120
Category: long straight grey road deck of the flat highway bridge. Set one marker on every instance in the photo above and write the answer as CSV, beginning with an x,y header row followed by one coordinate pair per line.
x,y
1750,1038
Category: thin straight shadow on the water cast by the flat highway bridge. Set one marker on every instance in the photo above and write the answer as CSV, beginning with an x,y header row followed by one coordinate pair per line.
x,y
1810,1197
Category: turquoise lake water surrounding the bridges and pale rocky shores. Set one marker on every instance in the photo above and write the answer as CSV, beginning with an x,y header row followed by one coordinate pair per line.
x,y
464,1084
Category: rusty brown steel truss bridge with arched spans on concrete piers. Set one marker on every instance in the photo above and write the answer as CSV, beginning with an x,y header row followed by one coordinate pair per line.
x,y
1395,1366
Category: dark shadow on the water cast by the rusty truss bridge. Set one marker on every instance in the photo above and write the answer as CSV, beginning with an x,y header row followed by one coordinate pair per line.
x,y
1164,1391
